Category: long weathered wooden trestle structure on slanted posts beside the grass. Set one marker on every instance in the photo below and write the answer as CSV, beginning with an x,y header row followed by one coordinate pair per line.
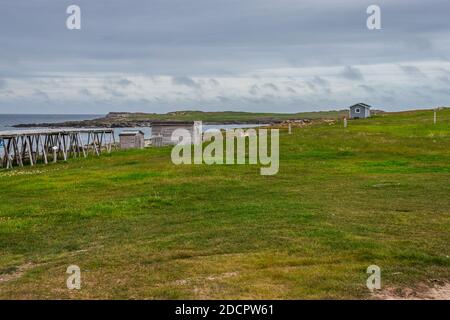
x,y
22,147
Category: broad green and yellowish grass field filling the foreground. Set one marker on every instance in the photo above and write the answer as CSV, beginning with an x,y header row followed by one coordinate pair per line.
x,y
138,226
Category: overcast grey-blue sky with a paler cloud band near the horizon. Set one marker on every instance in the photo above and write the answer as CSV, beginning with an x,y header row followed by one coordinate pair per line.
x,y
252,55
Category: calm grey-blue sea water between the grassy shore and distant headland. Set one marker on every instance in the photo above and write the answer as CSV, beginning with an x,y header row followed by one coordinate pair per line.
x,y
8,120
